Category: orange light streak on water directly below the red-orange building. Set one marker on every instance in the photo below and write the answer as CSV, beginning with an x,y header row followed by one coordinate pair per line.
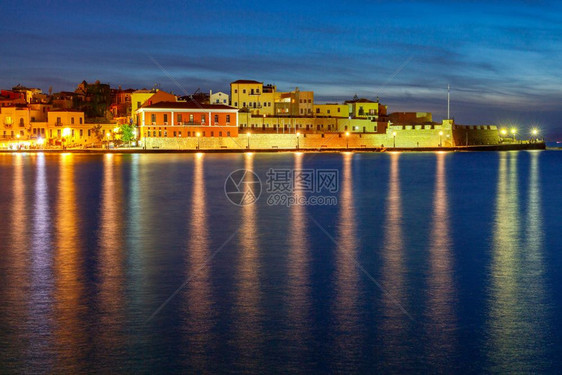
x,y
199,319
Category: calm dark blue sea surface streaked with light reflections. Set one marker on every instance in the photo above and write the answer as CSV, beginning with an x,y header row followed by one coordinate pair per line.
x,y
434,262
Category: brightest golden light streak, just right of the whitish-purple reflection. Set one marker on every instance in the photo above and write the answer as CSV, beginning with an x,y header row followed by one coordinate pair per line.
x,y
69,331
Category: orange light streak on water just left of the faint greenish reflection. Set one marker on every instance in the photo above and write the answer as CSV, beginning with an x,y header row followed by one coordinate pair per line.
x,y
111,256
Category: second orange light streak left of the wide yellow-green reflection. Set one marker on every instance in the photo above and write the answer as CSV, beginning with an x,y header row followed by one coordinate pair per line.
x,y
394,320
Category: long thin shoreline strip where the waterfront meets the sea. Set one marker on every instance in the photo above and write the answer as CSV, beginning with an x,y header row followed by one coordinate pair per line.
x,y
507,147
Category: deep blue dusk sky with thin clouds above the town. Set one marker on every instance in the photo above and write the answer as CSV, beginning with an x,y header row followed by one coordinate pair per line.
x,y
502,59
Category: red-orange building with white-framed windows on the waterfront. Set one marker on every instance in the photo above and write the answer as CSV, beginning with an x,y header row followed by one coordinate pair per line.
x,y
188,119
